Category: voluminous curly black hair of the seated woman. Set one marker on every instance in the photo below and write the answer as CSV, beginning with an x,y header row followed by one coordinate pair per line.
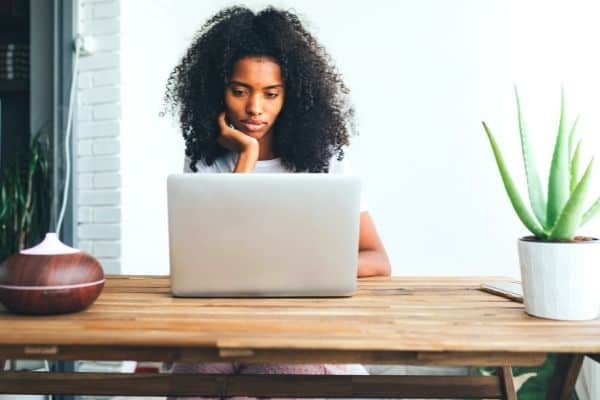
x,y
317,118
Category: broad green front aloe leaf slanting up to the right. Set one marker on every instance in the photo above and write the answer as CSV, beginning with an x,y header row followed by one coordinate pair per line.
x,y
570,217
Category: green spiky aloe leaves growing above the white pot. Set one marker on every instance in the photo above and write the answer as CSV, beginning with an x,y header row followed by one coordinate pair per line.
x,y
557,216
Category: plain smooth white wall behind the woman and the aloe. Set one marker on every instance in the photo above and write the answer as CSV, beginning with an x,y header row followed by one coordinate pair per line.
x,y
423,74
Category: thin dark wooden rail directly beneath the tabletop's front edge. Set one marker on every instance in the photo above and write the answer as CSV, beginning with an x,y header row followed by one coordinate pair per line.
x,y
198,354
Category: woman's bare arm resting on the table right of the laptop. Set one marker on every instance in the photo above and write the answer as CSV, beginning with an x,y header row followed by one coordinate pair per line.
x,y
372,257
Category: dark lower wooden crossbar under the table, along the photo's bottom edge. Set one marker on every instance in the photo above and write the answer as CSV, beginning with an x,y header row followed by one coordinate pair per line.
x,y
332,386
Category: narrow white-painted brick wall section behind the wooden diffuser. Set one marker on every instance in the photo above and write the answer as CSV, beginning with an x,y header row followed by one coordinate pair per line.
x,y
98,194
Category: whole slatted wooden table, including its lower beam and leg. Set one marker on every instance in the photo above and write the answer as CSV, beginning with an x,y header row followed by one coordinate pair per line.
x,y
420,321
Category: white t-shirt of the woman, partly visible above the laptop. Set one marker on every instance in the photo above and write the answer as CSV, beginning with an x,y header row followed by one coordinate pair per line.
x,y
227,162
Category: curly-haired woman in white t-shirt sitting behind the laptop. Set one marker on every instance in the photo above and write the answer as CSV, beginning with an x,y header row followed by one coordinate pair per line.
x,y
255,92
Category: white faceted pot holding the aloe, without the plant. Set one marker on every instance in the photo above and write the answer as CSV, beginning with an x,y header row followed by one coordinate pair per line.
x,y
561,280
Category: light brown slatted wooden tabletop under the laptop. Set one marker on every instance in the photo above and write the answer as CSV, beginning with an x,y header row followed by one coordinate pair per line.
x,y
386,314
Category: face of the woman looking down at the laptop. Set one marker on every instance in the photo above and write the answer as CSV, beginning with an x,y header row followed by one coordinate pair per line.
x,y
254,96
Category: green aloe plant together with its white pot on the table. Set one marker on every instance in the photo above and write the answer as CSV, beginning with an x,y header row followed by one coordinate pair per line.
x,y
559,270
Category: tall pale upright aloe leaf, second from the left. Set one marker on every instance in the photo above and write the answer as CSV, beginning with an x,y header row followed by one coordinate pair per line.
x,y
536,194
